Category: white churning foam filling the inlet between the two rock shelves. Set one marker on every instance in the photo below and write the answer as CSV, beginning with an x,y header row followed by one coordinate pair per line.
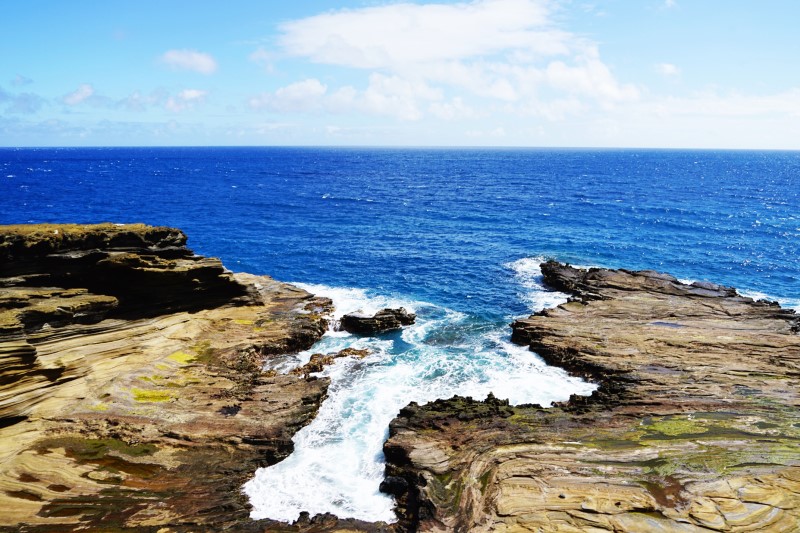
x,y
337,464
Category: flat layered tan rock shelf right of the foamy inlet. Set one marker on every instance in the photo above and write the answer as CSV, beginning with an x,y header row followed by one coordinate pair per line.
x,y
694,426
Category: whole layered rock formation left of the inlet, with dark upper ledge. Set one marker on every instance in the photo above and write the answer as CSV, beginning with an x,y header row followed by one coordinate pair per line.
x,y
131,385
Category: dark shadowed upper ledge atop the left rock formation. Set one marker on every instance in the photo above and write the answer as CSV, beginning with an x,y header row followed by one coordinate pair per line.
x,y
148,270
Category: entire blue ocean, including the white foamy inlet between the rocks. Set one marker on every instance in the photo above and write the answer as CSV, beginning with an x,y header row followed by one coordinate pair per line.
x,y
456,235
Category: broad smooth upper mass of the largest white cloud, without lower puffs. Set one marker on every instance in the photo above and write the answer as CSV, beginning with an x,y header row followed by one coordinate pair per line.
x,y
407,34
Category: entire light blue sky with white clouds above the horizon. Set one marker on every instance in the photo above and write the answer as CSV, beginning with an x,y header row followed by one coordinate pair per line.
x,y
538,73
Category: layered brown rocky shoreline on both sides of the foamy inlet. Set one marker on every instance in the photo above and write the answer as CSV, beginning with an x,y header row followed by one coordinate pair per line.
x,y
133,397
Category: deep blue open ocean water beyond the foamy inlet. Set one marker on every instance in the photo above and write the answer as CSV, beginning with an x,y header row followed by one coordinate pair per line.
x,y
438,224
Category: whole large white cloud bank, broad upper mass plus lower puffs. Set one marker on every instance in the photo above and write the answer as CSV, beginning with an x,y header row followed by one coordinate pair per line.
x,y
443,60
